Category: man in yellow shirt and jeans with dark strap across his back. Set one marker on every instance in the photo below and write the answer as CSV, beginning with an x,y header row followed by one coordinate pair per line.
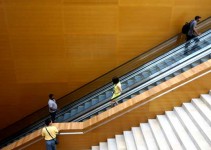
x,y
49,132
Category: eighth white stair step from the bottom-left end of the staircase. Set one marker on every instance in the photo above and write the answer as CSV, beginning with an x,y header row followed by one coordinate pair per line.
x,y
158,134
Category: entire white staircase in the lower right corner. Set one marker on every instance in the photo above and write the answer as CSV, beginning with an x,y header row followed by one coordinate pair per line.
x,y
185,128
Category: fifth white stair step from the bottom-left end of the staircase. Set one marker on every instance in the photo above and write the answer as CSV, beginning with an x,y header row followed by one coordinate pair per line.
x,y
129,140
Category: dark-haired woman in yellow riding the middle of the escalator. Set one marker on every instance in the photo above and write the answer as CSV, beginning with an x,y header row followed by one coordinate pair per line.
x,y
117,89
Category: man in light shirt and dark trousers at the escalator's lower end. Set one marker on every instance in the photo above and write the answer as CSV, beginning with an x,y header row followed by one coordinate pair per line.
x,y
52,107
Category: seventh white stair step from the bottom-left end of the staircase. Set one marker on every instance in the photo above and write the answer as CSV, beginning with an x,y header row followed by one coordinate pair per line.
x,y
149,139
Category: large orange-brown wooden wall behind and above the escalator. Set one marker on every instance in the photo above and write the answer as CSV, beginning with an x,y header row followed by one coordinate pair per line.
x,y
56,46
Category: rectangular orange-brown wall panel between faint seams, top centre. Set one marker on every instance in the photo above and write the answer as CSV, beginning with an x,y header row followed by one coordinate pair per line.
x,y
89,20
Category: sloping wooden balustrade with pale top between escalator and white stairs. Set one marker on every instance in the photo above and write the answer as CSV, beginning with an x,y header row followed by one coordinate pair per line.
x,y
130,113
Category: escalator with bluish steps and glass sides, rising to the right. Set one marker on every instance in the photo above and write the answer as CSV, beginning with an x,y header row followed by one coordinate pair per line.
x,y
168,62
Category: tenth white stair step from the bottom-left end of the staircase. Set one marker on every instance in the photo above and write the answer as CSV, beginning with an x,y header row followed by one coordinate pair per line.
x,y
181,133
